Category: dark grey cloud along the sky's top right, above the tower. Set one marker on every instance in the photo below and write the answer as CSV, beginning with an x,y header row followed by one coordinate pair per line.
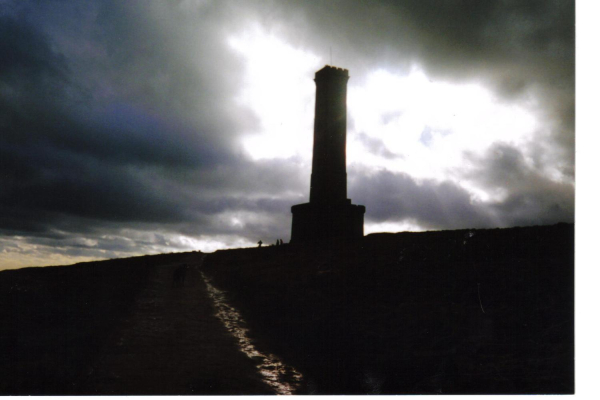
x,y
449,38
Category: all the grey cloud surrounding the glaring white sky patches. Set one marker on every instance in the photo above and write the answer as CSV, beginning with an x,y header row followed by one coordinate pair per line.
x,y
120,129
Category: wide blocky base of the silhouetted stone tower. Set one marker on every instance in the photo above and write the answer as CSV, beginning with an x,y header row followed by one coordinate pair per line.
x,y
323,223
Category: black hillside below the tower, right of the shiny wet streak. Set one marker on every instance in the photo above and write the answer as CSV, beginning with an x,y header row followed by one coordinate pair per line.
x,y
469,311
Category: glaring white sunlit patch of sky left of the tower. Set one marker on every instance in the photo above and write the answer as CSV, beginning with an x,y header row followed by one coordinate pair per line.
x,y
279,90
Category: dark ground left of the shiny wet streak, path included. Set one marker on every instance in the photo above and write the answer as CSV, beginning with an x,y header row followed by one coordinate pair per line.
x,y
116,327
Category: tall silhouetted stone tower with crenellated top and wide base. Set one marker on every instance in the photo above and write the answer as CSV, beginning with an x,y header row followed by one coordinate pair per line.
x,y
329,216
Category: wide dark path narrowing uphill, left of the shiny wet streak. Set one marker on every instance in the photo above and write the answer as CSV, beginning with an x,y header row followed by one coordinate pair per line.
x,y
172,343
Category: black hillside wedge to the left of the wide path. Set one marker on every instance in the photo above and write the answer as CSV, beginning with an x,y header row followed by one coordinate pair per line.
x,y
51,319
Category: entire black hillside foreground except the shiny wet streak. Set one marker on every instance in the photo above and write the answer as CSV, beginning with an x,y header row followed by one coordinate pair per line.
x,y
470,311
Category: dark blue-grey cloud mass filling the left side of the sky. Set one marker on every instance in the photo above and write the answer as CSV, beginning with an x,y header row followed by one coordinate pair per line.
x,y
75,158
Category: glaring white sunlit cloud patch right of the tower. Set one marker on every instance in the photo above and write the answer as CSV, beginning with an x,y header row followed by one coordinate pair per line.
x,y
428,124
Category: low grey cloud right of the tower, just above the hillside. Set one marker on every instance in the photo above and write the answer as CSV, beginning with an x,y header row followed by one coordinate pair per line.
x,y
530,198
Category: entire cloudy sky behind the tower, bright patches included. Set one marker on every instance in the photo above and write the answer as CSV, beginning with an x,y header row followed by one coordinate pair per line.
x,y
146,127
